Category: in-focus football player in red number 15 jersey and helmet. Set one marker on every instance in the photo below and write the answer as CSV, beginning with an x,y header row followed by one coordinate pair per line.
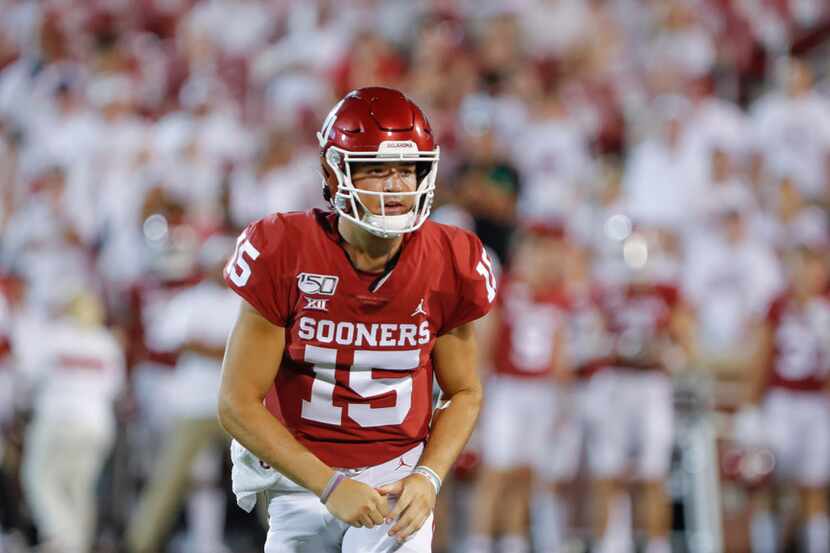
x,y
347,313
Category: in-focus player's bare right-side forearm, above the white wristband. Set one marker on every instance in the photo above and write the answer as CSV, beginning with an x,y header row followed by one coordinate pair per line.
x,y
451,428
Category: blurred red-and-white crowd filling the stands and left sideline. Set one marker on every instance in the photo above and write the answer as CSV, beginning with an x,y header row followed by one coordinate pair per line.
x,y
685,140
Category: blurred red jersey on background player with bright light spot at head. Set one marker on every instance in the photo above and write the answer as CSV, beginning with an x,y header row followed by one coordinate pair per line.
x,y
637,321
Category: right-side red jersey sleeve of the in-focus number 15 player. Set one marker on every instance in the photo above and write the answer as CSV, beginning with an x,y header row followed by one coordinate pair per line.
x,y
475,282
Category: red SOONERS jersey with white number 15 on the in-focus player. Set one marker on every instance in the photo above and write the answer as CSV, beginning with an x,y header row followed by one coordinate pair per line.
x,y
355,382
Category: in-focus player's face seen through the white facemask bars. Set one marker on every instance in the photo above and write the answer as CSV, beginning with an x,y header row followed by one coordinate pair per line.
x,y
389,178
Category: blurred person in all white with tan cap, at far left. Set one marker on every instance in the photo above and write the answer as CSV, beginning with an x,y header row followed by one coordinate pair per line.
x,y
75,377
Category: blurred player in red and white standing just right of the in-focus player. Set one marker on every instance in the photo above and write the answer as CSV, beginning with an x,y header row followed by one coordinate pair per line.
x,y
518,415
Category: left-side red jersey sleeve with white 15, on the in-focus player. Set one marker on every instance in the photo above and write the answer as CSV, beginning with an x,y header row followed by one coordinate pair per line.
x,y
257,269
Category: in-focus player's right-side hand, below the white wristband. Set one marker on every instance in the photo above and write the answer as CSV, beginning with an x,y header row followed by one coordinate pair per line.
x,y
416,500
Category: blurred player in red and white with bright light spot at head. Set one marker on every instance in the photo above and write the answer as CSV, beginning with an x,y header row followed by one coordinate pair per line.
x,y
630,405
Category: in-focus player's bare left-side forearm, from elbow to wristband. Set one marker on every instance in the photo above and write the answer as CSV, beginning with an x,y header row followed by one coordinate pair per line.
x,y
257,429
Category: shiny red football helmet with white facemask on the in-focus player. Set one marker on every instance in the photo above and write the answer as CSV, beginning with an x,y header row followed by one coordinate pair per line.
x,y
377,124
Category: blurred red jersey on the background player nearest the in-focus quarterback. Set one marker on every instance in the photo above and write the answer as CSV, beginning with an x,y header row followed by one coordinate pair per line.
x,y
527,328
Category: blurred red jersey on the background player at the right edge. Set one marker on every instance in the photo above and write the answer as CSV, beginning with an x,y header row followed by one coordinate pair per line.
x,y
801,338
